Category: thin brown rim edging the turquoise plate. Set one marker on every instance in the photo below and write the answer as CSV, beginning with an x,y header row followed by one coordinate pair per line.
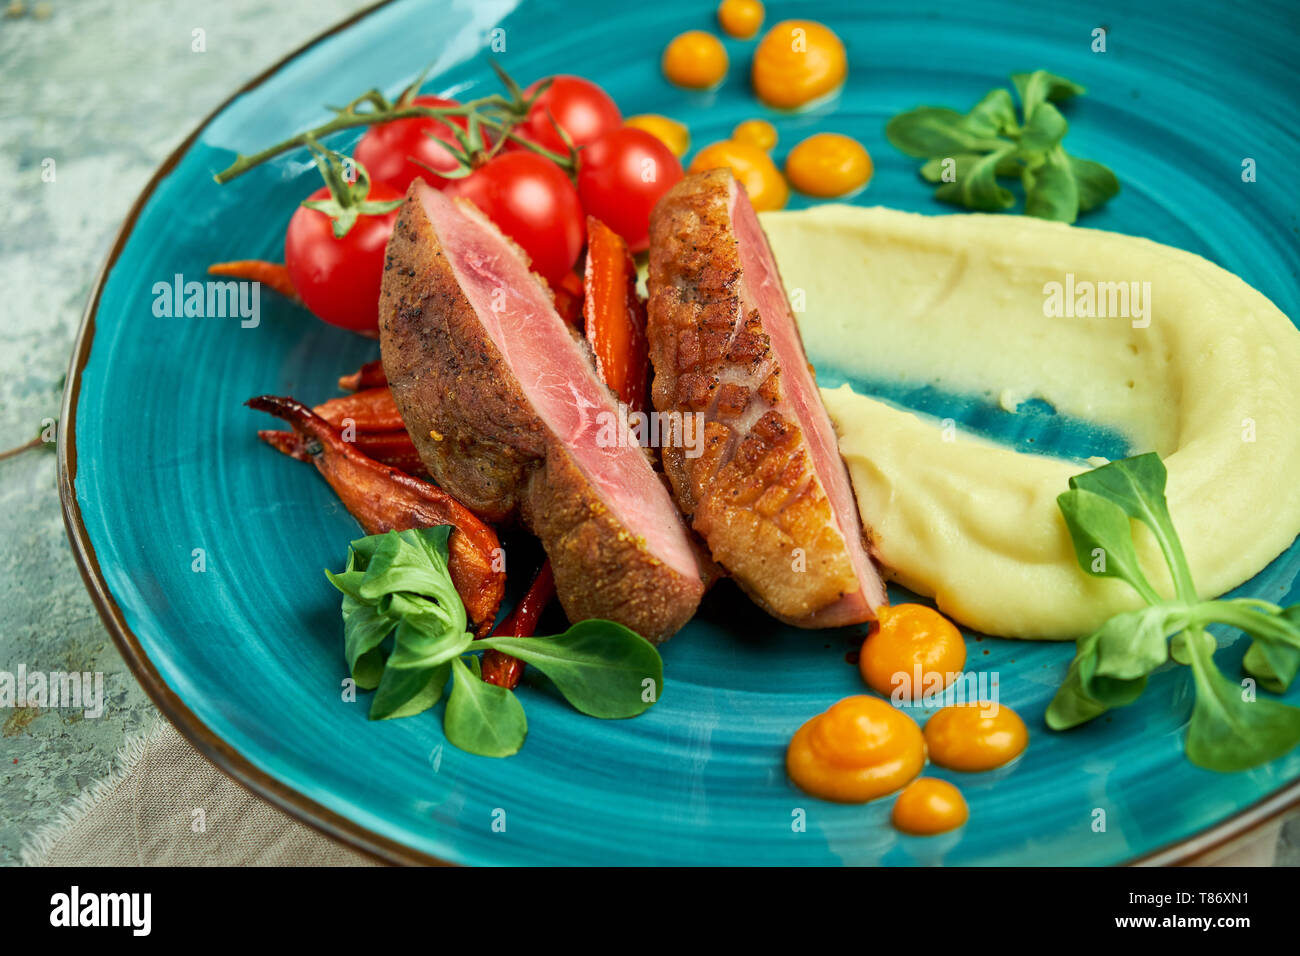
x,y
1228,833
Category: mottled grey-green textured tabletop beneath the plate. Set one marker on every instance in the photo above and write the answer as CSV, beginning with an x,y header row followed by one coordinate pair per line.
x,y
107,90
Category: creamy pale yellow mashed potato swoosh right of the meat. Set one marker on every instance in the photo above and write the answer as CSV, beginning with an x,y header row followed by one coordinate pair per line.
x,y
1180,356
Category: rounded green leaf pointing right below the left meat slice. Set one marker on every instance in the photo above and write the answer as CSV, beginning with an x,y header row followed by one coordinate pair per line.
x,y
601,668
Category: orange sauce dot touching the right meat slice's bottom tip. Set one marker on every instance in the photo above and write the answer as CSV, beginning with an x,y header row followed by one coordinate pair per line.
x,y
912,650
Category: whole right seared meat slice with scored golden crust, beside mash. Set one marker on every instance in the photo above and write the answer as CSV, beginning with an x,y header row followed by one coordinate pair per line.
x,y
770,494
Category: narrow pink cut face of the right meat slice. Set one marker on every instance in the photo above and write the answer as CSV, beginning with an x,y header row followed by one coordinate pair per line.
x,y
764,291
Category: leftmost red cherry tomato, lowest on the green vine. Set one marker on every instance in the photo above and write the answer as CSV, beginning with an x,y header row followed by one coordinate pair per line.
x,y
339,280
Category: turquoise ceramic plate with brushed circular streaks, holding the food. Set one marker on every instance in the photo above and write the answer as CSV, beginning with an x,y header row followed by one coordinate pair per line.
x,y
161,458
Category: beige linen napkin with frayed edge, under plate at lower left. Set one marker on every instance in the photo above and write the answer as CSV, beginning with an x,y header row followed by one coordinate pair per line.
x,y
167,806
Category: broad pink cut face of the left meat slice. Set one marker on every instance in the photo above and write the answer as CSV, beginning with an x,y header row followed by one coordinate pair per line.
x,y
557,378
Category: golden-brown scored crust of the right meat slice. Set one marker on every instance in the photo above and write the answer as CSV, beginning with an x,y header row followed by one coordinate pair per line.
x,y
753,495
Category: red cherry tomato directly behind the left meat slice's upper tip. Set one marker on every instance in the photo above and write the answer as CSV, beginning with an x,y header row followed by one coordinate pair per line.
x,y
531,201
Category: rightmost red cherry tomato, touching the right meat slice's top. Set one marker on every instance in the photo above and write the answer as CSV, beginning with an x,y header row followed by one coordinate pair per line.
x,y
622,176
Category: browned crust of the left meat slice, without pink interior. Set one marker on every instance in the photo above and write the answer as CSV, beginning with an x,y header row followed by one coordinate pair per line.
x,y
484,444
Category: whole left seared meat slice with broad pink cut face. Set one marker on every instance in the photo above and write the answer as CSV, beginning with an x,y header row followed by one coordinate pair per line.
x,y
509,417
